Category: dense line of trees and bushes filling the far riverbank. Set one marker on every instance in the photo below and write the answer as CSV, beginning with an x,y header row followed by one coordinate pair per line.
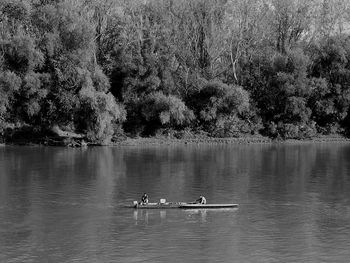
x,y
222,67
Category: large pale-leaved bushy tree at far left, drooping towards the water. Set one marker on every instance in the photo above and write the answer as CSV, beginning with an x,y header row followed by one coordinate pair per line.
x,y
50,48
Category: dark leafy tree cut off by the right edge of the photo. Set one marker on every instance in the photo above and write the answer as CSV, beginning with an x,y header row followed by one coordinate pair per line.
x,y
330,98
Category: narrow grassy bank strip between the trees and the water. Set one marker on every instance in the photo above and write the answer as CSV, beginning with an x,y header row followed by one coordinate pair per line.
x,y
59,138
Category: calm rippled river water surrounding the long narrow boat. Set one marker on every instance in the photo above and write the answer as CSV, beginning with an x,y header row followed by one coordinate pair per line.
x,y
65,205
